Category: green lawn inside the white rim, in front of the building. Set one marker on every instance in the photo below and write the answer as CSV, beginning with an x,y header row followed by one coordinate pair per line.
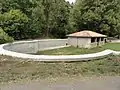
x,y
76,51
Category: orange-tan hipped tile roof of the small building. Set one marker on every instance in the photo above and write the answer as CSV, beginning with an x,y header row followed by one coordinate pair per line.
x,y
86,33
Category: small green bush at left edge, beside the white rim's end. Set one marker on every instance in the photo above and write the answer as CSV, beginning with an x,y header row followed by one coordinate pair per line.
x,y
4,37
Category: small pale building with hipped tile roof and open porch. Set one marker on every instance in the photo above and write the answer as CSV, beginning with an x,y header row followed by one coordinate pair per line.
x,y
86,39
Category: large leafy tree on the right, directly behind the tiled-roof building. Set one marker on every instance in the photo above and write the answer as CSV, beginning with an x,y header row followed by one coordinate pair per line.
x,y
98,15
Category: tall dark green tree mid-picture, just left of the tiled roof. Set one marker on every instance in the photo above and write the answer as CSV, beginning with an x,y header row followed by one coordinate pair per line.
x,y
56,13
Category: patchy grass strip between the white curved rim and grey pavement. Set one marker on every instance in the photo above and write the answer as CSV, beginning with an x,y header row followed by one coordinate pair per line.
x,y
13,69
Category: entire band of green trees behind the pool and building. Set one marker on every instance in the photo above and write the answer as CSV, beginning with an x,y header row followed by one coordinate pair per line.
x,y
26,19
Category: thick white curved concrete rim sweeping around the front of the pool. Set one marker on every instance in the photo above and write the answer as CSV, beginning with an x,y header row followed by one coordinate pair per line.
x,y
52,58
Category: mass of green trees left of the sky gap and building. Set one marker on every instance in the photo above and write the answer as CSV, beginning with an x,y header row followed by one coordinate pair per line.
x,y
37,18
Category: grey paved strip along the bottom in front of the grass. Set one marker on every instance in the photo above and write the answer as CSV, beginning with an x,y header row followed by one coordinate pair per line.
x,y
108,83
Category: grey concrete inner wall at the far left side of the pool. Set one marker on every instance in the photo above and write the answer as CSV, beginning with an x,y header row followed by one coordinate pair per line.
x,y
35,45
